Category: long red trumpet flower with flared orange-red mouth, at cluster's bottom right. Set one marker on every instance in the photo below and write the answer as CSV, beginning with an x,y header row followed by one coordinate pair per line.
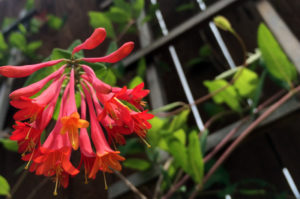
x,y
106,158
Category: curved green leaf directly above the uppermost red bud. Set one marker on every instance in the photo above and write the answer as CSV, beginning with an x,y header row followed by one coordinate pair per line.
x,y
98,19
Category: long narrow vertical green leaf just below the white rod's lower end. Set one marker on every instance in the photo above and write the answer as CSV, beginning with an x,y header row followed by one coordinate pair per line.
x,y
195,159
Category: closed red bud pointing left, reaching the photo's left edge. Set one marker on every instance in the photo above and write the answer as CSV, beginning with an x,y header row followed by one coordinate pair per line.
x,y
24,71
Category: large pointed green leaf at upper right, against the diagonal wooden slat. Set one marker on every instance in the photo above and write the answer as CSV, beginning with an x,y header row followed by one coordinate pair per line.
x,y
276,61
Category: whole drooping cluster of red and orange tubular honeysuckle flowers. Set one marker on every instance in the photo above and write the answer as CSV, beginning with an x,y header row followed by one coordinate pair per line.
x,y
112,113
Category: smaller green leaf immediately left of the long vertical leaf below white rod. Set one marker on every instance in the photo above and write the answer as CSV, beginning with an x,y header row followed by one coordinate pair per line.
x,y
178,151
